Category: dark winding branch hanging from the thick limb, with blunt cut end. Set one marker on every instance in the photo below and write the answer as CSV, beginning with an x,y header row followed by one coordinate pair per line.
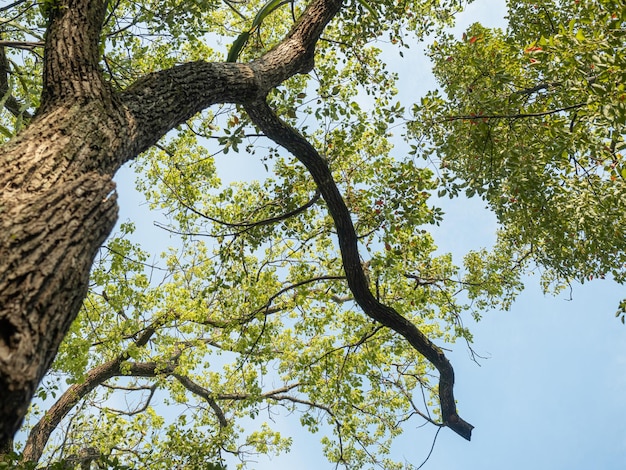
x,y
264,118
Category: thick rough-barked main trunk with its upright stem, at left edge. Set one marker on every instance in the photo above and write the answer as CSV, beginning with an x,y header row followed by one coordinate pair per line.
x,y
57,204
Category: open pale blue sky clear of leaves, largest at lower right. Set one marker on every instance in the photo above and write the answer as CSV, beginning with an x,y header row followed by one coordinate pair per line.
x,y
550,394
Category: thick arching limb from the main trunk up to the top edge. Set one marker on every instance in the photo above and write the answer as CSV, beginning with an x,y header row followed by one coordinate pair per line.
x,y
162,100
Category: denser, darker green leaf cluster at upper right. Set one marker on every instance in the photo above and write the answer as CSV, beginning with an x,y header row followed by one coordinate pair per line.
x,y
532,120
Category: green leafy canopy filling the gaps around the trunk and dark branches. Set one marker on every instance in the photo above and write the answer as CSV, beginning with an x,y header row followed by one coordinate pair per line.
x,y
188,355
